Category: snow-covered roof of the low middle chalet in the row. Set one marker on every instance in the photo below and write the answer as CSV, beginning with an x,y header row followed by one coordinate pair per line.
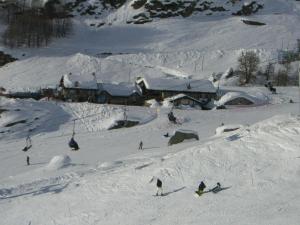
x,y
122,89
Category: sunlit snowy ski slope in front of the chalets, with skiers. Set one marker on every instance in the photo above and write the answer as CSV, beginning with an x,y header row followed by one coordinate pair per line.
x,y
107,180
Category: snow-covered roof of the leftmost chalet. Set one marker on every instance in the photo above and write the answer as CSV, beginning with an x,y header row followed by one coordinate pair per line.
x,y
79,81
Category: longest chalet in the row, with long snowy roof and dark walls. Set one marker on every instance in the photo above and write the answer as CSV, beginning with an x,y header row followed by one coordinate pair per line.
x,y
161,88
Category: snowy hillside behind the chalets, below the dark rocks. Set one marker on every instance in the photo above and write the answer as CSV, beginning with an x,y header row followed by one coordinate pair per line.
x,y
197,47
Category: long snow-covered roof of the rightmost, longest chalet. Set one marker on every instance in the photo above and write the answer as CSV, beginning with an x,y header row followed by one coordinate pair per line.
x,y
186,85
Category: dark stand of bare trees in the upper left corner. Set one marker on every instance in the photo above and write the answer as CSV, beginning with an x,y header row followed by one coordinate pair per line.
x,y
34,27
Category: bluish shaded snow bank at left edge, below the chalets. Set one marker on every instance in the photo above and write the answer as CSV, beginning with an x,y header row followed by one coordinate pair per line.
x,y
38,116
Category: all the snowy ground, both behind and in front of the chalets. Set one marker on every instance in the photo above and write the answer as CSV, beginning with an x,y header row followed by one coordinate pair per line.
x,y
107,180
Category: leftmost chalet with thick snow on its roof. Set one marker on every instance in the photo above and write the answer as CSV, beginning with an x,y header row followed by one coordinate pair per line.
x,y
78,88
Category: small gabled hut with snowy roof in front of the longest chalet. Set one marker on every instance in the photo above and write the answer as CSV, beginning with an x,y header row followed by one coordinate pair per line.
x,y
182,100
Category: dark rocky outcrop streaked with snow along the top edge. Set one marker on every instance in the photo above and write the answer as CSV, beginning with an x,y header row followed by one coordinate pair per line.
x,y
148,10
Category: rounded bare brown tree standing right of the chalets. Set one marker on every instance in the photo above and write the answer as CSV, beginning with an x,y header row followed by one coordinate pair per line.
x,y
248,64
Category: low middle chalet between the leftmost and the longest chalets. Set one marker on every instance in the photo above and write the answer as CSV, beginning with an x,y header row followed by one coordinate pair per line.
x,y
123,94
